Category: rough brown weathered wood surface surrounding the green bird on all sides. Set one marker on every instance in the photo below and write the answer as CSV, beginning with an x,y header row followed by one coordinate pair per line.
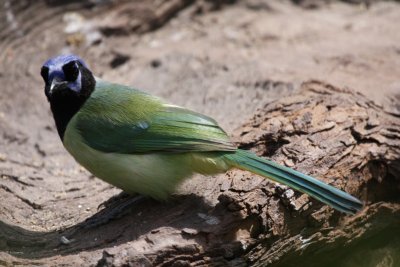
x,y
229,62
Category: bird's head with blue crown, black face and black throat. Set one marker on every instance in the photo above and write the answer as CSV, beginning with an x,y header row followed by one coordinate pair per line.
x,y
68,84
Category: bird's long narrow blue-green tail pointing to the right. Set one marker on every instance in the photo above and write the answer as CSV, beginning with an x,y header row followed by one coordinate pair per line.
x,y
327,194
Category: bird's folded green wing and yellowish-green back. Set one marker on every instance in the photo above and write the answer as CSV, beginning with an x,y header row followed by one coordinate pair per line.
x,y
124,120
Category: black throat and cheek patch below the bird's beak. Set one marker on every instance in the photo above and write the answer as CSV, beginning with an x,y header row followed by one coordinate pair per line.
x,y
65,103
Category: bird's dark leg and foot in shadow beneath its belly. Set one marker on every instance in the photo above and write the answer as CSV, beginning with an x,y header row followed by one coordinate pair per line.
x,y
114,208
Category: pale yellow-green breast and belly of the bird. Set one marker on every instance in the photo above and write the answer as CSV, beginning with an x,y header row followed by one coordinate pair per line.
x,y
155,175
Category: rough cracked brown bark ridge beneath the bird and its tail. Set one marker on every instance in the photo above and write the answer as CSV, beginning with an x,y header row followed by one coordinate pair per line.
x,y
334,134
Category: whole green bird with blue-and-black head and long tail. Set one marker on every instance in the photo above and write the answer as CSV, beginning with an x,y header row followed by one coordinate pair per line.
x,y
144,145
